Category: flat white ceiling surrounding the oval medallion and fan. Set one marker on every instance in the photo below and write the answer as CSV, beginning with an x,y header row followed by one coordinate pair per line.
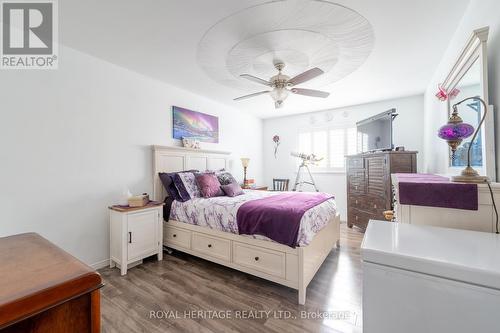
x,y
160,39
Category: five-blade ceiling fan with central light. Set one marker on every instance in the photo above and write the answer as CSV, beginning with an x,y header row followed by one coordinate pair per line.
x,y
280,84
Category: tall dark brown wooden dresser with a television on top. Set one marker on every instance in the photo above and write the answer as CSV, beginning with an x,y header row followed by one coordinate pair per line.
x,y
369,190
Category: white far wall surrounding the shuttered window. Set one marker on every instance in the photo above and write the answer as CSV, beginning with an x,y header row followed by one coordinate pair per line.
x,y
407,132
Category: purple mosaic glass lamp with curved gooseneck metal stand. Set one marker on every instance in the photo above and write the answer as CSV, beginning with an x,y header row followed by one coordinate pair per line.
x,y
454,132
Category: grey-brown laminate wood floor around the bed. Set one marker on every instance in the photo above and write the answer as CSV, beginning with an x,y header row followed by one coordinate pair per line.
x,y
183,293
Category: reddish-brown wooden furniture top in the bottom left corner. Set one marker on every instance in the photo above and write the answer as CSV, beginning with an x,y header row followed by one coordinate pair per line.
x,y
44,289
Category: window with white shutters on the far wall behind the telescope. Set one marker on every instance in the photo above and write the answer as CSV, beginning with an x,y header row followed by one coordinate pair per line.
x,y
330,144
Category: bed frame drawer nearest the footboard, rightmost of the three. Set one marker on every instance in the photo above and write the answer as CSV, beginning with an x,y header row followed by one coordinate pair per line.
x,y
259,259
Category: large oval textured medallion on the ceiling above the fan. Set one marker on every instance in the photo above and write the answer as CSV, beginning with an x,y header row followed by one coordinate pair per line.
x,y
300,33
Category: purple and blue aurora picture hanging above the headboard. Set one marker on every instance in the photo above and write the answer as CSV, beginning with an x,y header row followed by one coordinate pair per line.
x,y
194,125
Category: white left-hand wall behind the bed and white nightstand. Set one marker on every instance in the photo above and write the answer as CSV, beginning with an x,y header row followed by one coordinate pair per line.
x,y
73,138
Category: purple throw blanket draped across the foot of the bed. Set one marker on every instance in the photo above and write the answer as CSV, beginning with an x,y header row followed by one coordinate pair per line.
x,y
277,217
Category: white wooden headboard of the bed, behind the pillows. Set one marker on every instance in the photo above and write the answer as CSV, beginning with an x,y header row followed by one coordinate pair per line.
x,y
172,159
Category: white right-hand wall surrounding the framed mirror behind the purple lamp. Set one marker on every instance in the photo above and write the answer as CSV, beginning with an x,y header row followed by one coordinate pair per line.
x,y
479,13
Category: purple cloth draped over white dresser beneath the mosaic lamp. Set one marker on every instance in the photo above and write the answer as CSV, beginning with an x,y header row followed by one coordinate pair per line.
x,y
436,191
